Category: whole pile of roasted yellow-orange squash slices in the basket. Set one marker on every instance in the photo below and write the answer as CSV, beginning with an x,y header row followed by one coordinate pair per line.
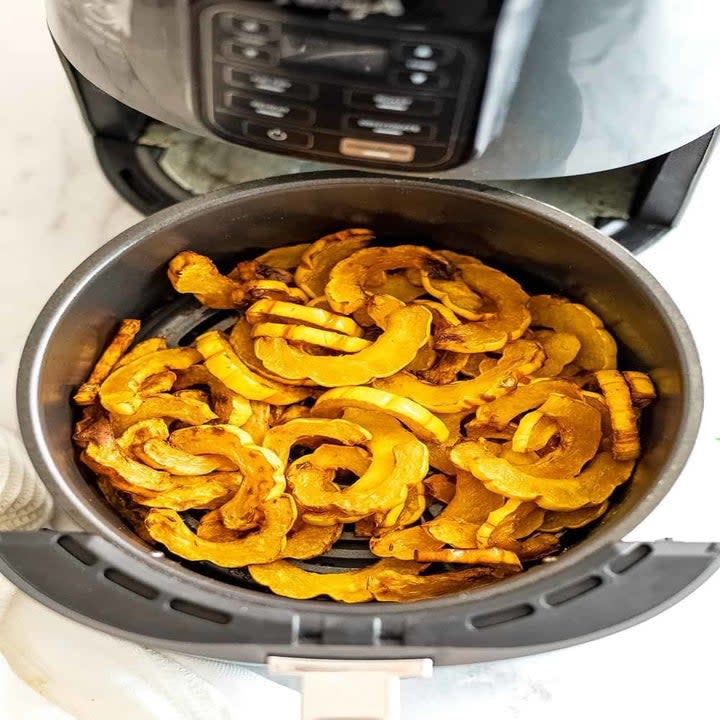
x,y
417,398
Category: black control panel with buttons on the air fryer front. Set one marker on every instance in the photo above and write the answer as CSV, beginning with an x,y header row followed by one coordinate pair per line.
x,y
371,97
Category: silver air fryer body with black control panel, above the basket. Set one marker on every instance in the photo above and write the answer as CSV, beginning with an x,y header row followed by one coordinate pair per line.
x,y
490,89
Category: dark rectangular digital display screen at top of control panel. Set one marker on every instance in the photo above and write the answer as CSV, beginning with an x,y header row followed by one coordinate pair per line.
x,y
337,55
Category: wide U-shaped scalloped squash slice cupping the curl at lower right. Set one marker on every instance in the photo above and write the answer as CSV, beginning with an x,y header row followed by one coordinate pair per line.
x,y
592,486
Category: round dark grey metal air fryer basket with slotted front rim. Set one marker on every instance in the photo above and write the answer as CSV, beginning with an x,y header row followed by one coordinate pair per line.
x,y
109,578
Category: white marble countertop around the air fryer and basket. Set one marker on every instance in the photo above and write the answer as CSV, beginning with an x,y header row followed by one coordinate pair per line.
x,y
56,207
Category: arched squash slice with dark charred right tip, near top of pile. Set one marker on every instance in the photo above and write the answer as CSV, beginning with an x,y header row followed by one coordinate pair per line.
x,y
347,290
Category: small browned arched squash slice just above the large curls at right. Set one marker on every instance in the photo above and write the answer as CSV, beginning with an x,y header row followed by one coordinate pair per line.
x,y
499,413
